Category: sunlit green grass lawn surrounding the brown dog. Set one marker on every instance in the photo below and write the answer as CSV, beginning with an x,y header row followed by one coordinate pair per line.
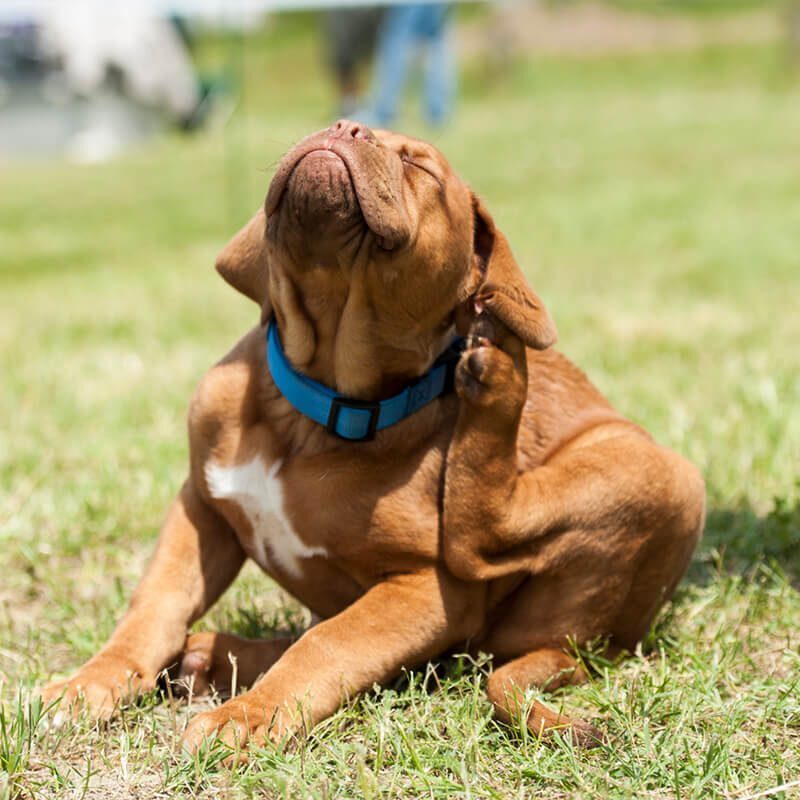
x,y
655,202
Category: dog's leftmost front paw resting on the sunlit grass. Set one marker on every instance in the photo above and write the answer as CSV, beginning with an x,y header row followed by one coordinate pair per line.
x,y
98,688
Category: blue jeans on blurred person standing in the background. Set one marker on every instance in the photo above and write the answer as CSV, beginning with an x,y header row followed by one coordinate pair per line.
x,y
403,28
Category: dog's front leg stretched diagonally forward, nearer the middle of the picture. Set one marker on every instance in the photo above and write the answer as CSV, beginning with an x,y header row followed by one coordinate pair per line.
x,y
399,622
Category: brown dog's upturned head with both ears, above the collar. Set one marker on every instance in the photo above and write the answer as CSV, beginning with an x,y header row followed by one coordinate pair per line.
x,y
368,251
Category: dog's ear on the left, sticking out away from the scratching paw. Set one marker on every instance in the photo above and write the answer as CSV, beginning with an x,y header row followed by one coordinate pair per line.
x,y
243,263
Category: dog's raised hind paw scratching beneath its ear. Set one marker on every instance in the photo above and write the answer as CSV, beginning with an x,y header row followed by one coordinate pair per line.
x,y
492,371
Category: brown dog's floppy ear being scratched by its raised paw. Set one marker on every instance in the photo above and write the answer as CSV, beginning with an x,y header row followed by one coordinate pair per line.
x,y
504,290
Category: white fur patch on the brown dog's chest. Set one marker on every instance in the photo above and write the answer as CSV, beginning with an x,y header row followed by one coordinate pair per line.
x,y
259,494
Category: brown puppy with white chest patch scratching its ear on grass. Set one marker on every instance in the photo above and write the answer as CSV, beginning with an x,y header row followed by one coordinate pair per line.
x,y
516,516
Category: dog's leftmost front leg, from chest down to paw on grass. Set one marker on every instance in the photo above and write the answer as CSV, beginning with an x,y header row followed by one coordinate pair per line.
x,y
196,558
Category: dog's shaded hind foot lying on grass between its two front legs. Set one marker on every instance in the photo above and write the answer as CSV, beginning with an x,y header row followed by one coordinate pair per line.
x,y
226,662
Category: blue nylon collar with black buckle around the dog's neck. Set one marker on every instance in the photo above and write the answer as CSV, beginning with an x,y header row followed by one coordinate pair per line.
x,y
357,420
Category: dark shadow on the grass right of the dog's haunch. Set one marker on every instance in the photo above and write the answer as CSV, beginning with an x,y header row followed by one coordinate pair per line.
x,y
738,539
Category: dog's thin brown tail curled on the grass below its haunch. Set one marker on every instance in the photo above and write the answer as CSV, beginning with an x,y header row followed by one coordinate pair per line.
x,y
548,669
